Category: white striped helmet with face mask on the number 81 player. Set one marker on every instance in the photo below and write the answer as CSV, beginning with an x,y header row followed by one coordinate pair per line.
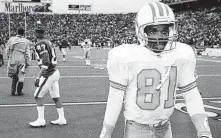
x,y
153,14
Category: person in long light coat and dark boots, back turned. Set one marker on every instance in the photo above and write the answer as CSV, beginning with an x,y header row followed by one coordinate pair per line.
x,y
18,52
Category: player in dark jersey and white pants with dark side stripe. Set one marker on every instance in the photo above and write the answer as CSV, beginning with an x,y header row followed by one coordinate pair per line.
x,y
47,80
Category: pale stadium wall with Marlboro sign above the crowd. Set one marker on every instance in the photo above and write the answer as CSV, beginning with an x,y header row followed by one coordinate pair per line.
x,y
76,6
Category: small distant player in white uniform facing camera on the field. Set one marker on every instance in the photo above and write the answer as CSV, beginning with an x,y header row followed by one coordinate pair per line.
x,y
87,50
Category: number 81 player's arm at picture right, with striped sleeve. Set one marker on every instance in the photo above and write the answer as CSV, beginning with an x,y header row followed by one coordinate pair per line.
x,y
193,99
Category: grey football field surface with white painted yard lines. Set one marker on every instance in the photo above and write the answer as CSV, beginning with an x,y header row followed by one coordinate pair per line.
x,y
84,91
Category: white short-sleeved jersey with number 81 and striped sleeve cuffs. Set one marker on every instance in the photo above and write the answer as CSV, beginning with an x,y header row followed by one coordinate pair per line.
x,y
150,80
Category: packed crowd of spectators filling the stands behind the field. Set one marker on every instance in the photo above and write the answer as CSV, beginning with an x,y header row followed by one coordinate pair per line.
x,y
199,27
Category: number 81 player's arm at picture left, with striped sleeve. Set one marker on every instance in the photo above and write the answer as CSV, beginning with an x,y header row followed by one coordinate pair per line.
x,y
118,84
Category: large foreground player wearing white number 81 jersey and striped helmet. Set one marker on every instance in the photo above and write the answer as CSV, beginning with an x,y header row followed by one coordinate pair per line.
x,y
146,78
